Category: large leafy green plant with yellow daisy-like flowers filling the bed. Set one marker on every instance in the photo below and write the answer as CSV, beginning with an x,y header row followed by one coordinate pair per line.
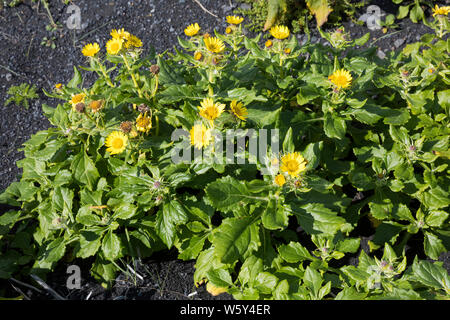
x,y
319,140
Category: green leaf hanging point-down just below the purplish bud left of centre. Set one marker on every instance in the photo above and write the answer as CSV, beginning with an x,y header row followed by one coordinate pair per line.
x,y
167,218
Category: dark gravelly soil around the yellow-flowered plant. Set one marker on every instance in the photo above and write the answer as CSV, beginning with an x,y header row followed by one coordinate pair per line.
x,y
24,58
